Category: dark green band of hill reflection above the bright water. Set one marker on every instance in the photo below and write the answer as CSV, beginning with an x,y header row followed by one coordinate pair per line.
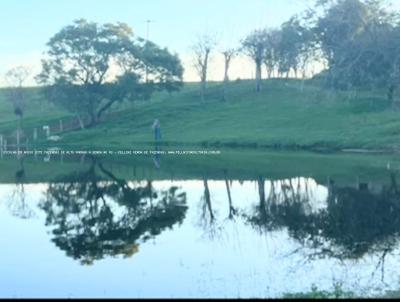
x,y
344,169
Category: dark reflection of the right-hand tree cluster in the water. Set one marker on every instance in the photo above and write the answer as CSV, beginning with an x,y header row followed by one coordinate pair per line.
x,y
355,221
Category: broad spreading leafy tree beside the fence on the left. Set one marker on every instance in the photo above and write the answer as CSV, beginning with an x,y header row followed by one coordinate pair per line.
x,y
82,58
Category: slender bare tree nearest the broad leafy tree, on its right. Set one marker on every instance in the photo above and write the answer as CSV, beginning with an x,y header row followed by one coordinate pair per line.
x,y
202,51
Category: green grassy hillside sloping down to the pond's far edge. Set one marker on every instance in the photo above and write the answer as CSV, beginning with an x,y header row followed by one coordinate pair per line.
x,y
285,114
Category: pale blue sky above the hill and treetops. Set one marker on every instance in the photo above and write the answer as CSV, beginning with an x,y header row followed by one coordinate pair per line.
x,y
27,25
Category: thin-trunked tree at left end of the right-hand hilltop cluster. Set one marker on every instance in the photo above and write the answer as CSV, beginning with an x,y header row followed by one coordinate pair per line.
x,y
254,46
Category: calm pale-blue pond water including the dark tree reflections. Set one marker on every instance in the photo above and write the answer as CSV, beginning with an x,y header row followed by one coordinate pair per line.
x,y
84,236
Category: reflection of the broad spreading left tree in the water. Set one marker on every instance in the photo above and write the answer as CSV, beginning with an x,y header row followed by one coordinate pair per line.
x,y
94,218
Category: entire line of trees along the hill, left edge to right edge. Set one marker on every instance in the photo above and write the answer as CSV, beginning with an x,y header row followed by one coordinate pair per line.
x,y
88,67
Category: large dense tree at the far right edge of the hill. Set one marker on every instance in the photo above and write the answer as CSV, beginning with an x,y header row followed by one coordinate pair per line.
x,y
360,42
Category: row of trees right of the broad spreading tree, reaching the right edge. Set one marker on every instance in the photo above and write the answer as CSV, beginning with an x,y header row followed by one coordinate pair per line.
x,y
357,42
